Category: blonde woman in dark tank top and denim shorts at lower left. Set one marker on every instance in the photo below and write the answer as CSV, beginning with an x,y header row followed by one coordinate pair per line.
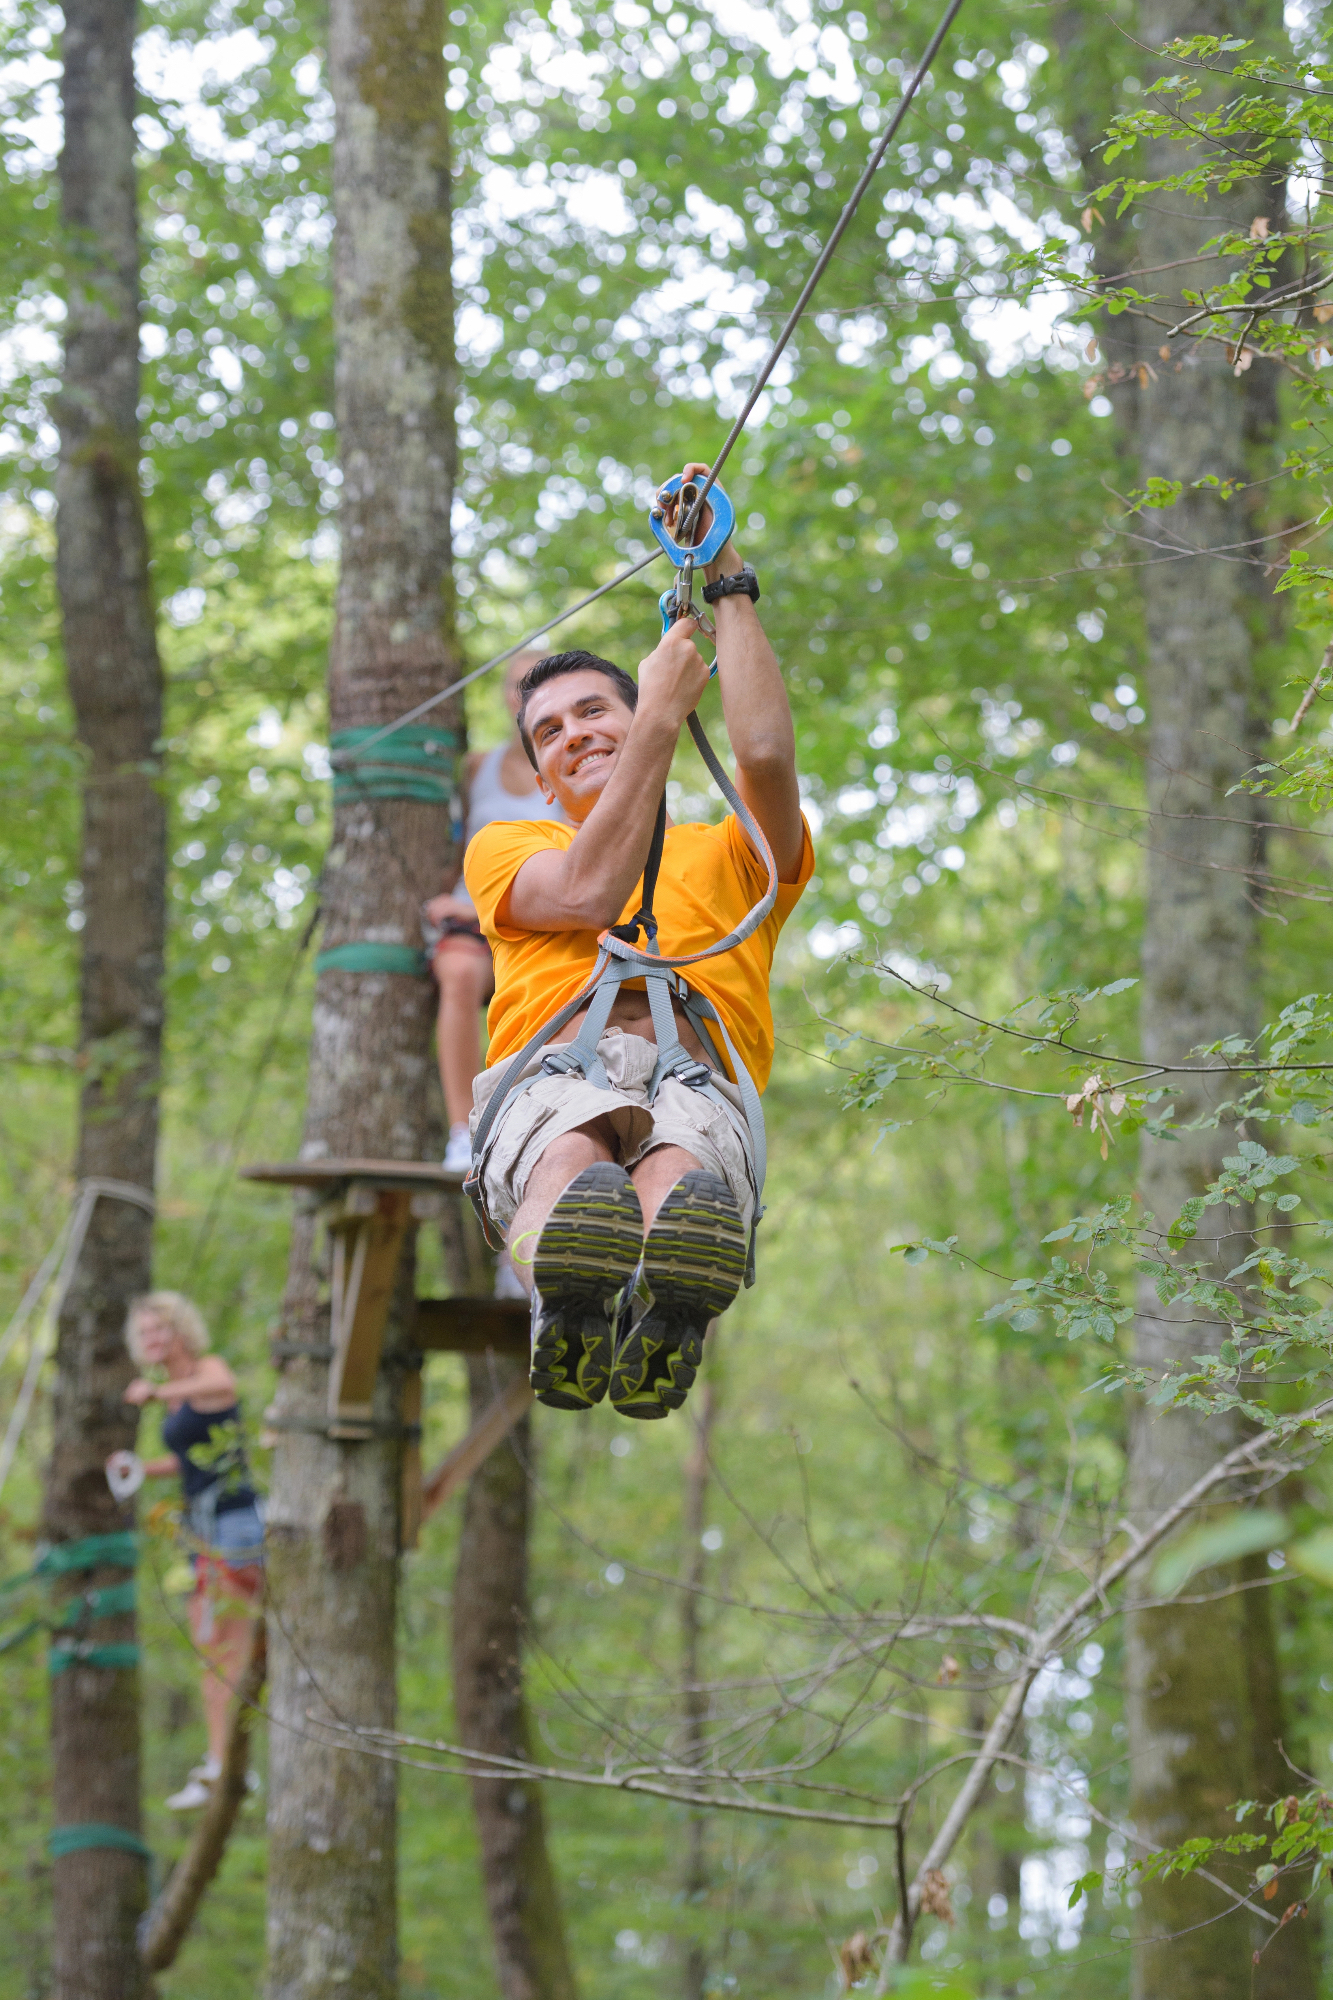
x,y
201,1431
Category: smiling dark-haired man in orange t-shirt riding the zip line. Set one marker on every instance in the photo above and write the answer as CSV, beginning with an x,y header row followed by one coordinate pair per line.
x,y
629,1215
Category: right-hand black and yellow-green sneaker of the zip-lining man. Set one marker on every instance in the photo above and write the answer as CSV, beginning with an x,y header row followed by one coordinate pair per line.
x,y
694,1265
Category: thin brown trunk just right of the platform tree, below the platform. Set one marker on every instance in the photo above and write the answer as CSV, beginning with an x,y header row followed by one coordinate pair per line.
x,y
491,1611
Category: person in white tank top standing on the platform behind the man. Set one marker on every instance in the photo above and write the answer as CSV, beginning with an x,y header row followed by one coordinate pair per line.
x,y
501,785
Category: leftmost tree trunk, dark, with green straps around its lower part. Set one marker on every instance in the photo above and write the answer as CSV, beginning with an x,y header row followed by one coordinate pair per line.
x,y
117,691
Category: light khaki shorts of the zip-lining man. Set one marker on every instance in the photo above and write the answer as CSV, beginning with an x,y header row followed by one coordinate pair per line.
x,y
716,1133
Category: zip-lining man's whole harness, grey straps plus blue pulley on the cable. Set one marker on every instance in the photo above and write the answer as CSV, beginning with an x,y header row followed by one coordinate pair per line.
x,y
619,957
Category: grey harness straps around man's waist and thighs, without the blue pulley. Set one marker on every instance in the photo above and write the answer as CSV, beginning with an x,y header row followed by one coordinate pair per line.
x,y
619,961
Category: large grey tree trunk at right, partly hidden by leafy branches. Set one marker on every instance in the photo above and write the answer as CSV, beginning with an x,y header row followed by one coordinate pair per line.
x,y
1190,1689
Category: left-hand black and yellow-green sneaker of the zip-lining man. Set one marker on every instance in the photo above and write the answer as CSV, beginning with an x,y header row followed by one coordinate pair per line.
x,y
585,1255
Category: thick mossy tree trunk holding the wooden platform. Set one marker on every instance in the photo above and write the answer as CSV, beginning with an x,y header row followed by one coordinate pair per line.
x,y
333,1529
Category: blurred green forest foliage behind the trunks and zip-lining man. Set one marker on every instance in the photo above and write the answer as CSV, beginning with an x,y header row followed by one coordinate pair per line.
x,y
932,505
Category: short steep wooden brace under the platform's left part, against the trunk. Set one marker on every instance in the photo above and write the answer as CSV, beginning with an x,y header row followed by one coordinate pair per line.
x,y
367,1249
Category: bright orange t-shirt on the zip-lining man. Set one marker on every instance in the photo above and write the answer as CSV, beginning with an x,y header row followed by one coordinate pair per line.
x,y
710,879
